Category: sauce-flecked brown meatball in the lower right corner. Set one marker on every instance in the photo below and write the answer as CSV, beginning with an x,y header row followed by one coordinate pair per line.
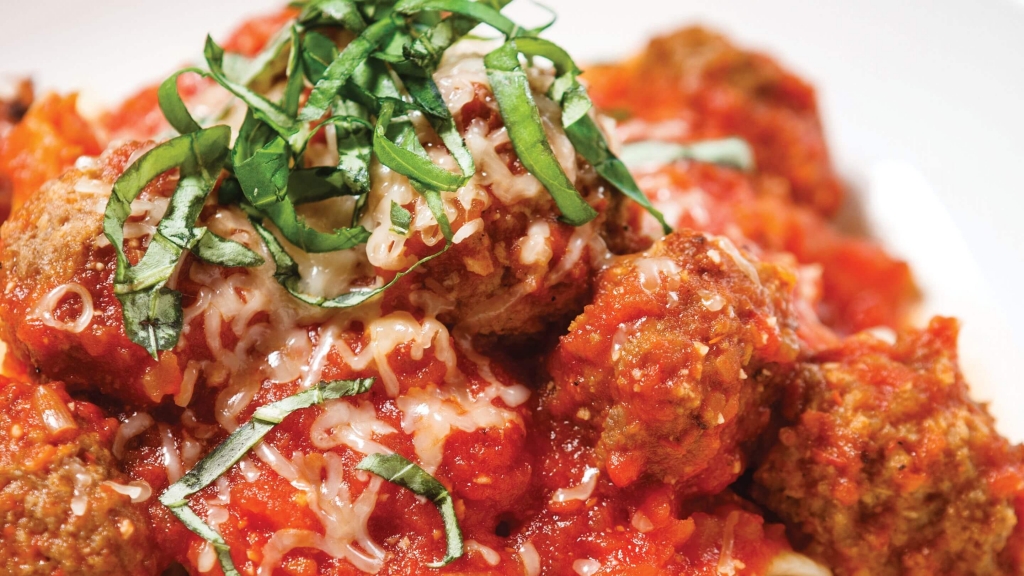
x,y
888,468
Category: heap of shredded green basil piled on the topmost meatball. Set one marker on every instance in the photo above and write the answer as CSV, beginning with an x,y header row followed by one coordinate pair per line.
x,y
367,92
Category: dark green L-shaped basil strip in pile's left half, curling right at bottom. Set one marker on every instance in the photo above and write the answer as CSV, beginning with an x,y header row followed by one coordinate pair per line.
x,y
265,183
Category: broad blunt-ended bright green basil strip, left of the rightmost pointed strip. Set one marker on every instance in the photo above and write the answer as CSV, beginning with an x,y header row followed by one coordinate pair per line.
x,y
523,120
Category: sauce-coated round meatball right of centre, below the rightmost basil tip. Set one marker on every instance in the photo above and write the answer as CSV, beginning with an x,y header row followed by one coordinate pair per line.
x,y
675,361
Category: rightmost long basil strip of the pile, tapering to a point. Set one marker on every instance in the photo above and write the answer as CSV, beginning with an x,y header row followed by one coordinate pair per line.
x,y
581,129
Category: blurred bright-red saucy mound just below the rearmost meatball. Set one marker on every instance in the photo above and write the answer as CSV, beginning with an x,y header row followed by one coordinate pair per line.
x,y
863,285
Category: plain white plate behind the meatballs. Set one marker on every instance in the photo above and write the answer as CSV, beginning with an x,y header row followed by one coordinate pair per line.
x,y
921,101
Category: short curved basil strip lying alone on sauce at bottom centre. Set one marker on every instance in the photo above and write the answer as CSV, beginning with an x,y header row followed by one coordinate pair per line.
x,y
397,470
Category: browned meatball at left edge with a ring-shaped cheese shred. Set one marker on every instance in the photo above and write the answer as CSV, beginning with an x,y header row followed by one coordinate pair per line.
x,y
59,311
